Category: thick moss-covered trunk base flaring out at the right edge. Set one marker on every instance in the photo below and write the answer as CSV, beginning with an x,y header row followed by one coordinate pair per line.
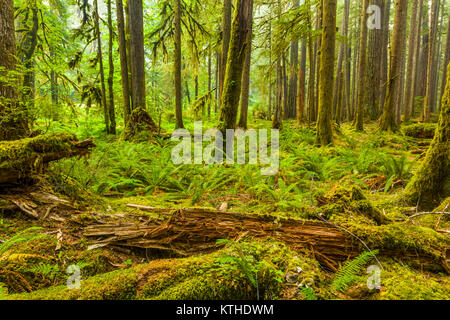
x,y
432,179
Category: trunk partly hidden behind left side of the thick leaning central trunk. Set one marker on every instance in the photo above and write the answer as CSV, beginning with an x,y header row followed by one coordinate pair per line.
x,y
226,36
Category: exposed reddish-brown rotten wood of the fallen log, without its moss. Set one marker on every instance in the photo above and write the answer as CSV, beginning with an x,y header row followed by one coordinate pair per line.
x,y
193,231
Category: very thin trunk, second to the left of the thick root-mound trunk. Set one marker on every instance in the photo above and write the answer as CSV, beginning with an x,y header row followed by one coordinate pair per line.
x,y
111,108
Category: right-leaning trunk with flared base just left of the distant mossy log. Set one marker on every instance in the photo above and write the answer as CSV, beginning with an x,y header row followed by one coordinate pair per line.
x,y
388,120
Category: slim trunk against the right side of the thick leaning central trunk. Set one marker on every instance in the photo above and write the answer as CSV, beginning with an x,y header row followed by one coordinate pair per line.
x,y
246,74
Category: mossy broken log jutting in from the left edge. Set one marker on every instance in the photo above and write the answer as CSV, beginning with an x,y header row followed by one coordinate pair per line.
x,y
20,158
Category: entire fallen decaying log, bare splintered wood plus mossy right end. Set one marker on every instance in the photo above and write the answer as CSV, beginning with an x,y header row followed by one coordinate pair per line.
x,y
192,231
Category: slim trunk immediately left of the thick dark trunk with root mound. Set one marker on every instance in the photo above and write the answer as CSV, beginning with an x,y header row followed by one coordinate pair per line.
x,y
123,64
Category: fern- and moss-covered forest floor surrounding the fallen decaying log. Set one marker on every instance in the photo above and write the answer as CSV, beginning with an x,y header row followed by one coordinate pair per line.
x,y
356,184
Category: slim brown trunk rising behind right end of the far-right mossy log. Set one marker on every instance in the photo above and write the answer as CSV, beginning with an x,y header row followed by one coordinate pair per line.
x,y
431,59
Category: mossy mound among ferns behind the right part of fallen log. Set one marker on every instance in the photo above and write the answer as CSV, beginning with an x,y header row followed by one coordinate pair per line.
x,y
349,201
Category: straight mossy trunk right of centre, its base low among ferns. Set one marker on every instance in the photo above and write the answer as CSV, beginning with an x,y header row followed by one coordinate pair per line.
x,y
324,129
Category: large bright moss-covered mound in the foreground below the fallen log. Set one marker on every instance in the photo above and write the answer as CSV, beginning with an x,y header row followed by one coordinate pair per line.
x,y
232,273
